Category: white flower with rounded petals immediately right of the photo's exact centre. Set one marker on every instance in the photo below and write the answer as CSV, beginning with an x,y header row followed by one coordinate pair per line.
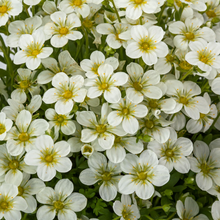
x,y
126,113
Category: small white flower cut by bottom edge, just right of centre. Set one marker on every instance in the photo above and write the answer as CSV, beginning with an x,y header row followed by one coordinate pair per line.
x,y
125,209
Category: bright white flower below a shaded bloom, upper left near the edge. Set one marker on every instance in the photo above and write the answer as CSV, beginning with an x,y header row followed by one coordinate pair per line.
x,y
33,50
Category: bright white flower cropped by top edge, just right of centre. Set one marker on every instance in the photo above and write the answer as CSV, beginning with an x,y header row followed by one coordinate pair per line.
x,y
135,8
